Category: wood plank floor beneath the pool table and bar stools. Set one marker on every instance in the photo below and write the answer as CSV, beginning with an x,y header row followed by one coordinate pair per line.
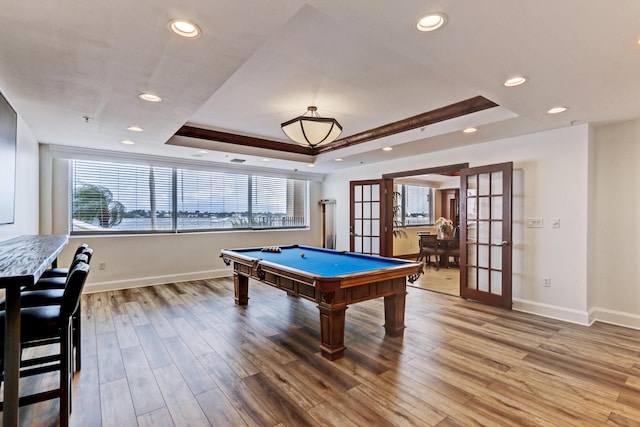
x,y
185,354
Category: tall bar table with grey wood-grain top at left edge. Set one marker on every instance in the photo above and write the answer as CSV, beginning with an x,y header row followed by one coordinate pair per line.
x,y
23,259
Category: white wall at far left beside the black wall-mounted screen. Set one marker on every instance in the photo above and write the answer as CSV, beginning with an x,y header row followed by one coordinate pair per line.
x,y
26,213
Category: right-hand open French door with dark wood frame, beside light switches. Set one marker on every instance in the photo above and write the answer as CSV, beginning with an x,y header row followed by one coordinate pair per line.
x,y
485,234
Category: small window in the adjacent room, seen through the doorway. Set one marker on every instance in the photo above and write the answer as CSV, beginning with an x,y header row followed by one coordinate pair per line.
x,y
415,205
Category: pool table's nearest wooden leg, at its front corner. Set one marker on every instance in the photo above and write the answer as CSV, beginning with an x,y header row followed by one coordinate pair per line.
x,y
332,315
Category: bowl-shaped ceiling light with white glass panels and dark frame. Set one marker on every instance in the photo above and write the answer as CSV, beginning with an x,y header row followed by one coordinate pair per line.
x,y
312,130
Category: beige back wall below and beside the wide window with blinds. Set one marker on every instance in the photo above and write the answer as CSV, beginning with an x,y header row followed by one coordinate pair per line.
x,y
140,260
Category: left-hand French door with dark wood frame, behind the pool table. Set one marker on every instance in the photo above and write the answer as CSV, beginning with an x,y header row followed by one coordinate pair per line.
x,y
371,217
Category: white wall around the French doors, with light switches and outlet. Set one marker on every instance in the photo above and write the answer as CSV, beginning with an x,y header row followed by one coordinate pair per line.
x,y
550,176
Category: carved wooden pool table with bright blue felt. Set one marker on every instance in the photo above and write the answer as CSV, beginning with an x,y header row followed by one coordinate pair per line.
x,y
333,279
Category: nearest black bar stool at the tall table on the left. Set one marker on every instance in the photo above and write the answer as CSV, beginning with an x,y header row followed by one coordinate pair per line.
x,y
46,325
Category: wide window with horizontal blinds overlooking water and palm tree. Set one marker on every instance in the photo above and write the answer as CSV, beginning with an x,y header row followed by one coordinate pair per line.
x,y
122,198
